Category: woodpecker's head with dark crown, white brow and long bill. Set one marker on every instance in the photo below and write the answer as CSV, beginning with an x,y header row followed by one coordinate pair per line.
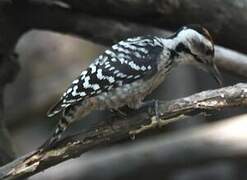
x,y
195,42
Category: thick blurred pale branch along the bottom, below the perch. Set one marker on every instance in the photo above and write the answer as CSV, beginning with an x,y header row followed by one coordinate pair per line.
x,y
215,151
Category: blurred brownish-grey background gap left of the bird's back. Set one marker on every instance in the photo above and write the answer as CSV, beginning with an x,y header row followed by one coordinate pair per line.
x,y
49,63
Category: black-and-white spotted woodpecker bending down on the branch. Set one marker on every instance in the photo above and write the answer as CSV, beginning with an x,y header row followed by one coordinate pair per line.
x,y
130,70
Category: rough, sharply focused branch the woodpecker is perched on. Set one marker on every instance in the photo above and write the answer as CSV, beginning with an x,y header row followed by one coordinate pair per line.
x,y
121,129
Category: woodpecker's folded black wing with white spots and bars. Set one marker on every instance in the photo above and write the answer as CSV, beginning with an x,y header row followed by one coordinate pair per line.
x,y
124,63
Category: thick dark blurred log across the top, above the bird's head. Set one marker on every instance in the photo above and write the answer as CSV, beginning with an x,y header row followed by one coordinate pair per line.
x,y
226,19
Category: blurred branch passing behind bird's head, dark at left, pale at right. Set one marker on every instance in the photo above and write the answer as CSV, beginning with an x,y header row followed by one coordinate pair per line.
x,y
107,31
